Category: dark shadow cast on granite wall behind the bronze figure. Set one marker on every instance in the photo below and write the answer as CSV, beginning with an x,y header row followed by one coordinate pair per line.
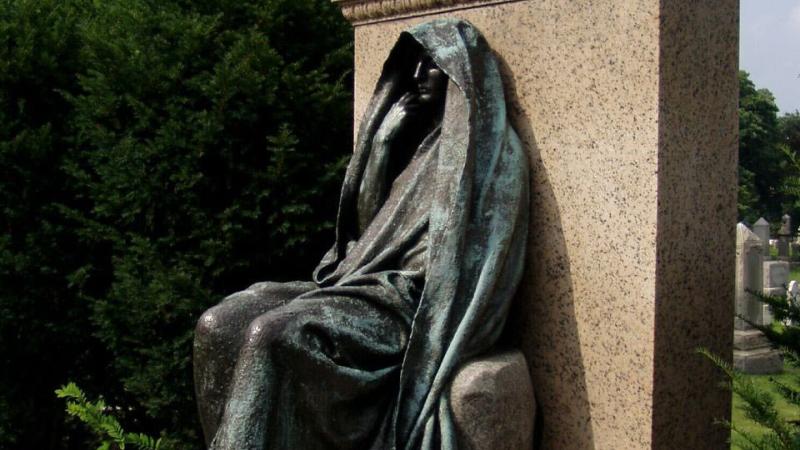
x,y
542,319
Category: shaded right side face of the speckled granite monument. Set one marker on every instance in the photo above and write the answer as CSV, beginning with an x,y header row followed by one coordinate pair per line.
x,y
697,155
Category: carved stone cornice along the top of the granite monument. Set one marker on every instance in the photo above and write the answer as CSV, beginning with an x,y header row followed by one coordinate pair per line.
x,y
360,11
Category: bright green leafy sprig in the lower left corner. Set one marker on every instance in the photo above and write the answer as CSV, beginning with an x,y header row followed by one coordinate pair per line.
x,y
107,429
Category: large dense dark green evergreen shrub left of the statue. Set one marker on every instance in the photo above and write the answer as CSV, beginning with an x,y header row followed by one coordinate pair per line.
x,y
155,156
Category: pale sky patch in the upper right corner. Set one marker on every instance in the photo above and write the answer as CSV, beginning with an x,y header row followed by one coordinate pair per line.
x,y
769,48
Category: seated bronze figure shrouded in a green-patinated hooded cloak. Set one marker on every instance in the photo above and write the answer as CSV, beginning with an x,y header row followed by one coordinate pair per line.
x,y
429,249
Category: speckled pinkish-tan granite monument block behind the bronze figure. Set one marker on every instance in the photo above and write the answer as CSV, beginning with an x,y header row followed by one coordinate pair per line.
x,y
628,109
